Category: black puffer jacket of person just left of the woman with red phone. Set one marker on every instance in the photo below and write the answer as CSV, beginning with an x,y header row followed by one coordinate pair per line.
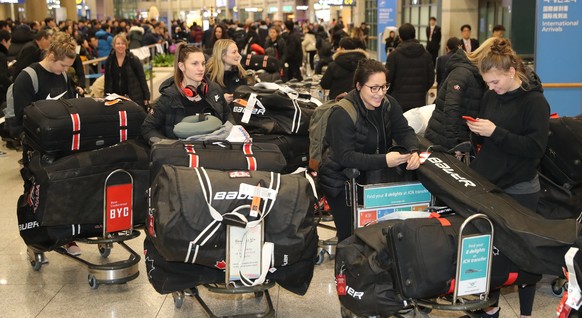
x,y
459,95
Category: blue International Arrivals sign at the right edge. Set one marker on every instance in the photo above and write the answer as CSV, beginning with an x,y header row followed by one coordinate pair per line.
x,y
557,57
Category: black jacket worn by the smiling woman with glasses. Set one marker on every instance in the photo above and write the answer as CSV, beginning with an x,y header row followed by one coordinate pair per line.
x,y
349,146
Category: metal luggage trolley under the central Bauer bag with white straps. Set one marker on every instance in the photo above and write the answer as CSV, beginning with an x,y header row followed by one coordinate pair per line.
x,y
236,237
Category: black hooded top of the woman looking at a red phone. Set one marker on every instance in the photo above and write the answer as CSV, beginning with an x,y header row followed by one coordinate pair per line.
x,y
513,152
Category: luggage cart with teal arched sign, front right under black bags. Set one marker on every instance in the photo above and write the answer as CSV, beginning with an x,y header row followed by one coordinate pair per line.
x,y
467,303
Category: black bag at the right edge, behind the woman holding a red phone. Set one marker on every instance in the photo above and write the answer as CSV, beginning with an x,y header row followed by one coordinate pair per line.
x,y
562,161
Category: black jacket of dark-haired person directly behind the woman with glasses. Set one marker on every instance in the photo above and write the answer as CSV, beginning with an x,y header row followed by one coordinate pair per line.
x,y
339,76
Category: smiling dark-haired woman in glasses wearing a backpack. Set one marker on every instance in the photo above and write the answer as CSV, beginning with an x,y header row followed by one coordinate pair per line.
x,y
363,144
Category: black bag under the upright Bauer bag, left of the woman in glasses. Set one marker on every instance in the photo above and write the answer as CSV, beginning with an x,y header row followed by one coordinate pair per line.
x,y
295,149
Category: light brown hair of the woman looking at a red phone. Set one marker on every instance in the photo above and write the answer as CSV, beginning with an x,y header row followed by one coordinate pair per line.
x,y
502,57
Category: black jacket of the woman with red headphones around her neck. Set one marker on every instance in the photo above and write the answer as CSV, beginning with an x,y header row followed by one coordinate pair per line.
x,y
168,110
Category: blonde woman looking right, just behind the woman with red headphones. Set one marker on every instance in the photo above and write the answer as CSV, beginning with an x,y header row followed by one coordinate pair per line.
x,y
224,67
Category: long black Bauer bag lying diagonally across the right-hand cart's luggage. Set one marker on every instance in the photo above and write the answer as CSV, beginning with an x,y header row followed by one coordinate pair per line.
x,y
535,244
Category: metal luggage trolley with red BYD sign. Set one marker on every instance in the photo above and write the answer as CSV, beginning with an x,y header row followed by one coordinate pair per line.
x,y
117,228
